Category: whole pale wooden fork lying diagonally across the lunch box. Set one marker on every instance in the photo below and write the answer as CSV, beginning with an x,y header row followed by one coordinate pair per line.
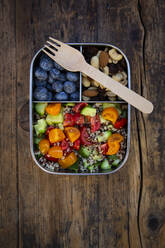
x,y
73,60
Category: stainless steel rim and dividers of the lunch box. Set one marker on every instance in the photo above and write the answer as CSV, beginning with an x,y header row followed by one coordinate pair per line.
x,y
80,46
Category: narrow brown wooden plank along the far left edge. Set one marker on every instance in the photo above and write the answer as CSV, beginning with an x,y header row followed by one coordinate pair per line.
x,y
8,161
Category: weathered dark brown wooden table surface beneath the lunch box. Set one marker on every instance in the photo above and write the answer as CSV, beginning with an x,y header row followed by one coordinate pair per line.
x,y
126,209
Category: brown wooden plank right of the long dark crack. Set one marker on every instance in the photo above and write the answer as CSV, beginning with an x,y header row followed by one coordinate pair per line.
x,y
152,135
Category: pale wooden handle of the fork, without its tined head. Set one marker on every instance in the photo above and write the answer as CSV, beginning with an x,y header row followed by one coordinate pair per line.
x,y
123,92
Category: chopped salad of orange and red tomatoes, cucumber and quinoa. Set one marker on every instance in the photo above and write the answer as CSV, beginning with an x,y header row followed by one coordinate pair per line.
x,y
80,137
